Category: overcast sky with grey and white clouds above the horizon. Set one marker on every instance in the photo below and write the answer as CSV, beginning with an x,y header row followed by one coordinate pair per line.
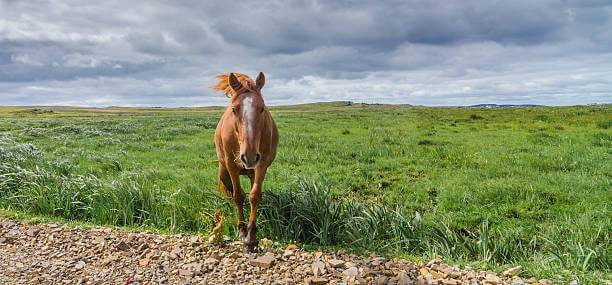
x,y
166,53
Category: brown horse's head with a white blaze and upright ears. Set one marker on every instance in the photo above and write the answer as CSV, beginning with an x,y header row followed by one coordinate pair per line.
x,y
248,111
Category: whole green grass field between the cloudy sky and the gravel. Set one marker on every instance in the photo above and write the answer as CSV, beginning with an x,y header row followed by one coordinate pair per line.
x,y
487,188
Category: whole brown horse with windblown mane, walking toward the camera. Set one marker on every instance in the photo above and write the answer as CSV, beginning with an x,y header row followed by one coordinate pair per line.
x,y
246,139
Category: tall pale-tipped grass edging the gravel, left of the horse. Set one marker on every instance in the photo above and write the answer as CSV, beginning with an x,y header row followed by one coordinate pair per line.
x,y
30,183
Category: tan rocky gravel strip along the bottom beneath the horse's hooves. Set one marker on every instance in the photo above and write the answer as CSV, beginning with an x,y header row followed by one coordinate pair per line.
x,y
54,254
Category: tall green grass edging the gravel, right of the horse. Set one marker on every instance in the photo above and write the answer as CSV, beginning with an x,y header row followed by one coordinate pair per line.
x,y
309,213
